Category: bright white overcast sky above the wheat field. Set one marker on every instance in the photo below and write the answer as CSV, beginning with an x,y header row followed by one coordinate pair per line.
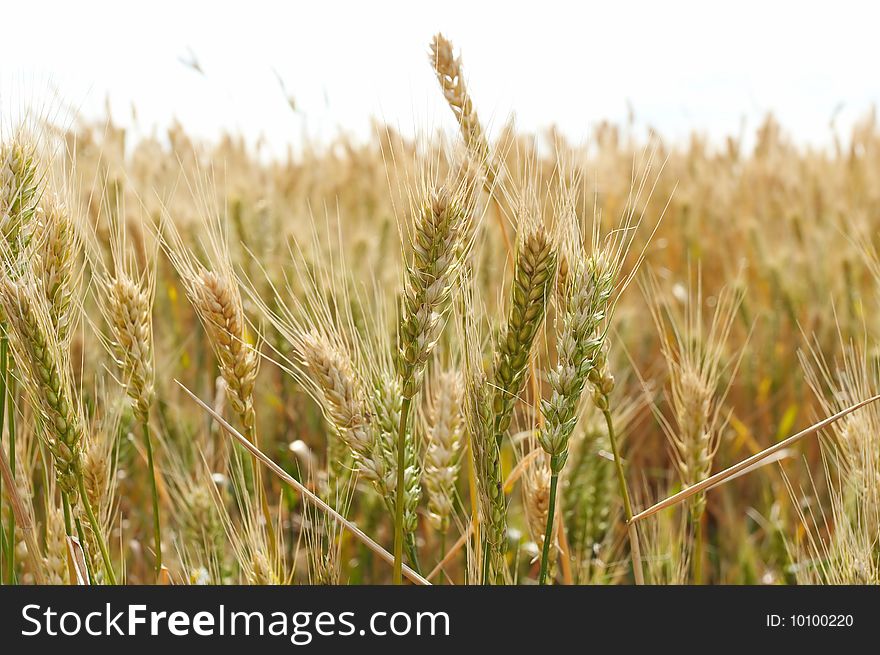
x,y
681,65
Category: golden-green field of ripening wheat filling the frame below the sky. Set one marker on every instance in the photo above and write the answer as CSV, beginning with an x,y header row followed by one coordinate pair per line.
x,y
450,359
